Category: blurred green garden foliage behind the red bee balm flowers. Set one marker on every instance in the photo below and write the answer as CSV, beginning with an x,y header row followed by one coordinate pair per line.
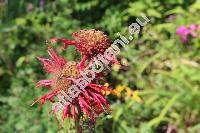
x,y
162,72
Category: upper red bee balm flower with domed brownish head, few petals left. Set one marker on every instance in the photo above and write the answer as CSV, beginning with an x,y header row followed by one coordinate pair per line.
x,y
89,43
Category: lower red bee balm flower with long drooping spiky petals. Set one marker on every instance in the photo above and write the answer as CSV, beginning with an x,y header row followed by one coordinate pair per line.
x,y
90,101
